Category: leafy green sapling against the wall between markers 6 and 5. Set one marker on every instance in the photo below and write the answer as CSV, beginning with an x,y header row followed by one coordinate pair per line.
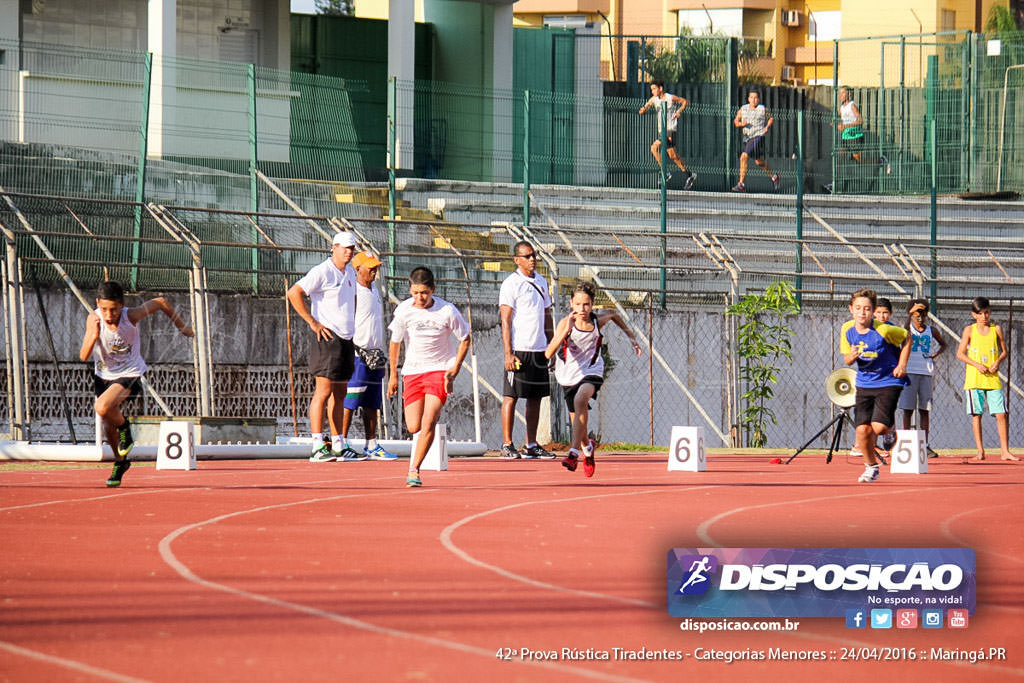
x,y
763,339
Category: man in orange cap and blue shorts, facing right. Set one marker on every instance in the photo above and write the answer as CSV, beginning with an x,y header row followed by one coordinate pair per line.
x,y
367,385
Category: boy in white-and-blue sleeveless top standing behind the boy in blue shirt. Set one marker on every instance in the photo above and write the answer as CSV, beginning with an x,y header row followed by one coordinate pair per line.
x,y
926,345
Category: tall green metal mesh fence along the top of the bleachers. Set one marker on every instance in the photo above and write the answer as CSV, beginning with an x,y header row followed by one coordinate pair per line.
x,y
141,127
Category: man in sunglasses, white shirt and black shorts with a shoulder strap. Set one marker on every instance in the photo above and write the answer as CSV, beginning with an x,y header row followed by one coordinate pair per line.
x,y
525,308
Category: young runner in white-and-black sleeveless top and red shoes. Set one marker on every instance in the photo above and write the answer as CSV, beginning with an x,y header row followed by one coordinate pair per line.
x,y
580,368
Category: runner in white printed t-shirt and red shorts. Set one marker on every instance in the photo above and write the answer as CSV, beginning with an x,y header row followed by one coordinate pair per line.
x,y
425,324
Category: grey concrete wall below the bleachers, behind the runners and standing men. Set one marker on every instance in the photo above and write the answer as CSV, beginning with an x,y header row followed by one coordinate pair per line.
x,y
251,360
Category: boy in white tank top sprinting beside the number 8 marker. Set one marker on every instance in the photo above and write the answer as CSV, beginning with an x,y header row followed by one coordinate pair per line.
x,y
112,340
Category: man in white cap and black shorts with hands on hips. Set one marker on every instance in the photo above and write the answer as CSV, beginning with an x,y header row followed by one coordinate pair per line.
x,y
331,316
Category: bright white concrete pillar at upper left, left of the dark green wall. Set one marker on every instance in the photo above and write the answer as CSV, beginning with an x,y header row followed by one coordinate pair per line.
x,y
162,34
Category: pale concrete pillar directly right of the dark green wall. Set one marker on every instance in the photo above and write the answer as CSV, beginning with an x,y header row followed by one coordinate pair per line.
x,y
402,66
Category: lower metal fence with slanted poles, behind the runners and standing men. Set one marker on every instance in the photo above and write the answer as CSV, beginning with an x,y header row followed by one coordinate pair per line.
x,y
229,272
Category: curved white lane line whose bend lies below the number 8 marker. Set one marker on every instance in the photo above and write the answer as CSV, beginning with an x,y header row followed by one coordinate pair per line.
x,y
168,557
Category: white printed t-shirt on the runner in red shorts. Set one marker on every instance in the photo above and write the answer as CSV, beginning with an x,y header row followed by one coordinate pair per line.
x,y
429,334
